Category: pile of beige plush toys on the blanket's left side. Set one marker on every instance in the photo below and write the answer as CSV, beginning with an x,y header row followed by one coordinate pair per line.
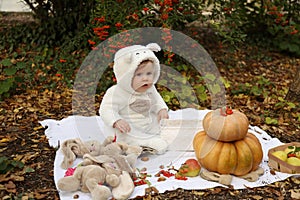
x,y
106,169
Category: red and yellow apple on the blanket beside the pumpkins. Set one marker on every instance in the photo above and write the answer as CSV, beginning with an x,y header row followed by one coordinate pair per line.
x,y
190,168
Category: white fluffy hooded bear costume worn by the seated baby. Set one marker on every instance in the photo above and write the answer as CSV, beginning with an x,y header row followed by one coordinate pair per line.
x,y
138,109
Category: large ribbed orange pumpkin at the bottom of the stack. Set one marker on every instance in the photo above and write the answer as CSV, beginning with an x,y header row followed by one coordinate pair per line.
x,y
237,158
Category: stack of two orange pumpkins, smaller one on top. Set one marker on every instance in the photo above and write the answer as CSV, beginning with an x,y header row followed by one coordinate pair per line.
x,y
225,146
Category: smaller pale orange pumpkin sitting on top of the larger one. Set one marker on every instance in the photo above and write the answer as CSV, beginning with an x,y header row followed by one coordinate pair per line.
x,y
226,125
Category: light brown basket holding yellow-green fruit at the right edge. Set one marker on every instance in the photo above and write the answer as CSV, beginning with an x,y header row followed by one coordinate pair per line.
x,y
279,165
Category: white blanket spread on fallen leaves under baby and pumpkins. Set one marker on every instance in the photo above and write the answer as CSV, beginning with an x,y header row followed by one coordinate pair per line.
x,y
179,131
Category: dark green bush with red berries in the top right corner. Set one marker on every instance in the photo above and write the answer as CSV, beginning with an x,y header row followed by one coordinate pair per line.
x,y
272,22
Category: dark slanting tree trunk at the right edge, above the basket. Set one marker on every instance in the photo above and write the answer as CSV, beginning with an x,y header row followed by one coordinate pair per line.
x,y
293,94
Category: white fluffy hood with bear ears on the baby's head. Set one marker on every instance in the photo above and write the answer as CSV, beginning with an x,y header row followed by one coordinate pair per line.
x,y
127,60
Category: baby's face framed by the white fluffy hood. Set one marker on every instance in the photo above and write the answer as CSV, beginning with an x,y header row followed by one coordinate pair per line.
x,y
143,78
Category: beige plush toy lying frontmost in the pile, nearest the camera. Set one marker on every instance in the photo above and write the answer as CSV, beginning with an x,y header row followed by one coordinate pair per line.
x,y
97,180
